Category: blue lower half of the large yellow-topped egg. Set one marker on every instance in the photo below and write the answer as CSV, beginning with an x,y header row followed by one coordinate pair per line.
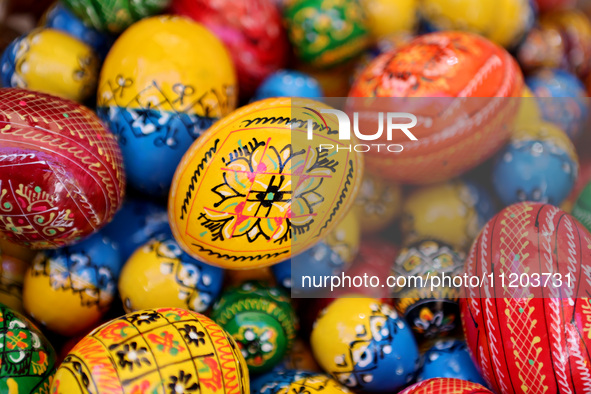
x,y
152,143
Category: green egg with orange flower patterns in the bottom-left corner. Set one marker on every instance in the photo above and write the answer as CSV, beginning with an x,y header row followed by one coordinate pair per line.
x,y
28,359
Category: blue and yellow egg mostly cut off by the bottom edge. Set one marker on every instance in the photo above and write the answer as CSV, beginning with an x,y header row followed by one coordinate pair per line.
x,y
296,381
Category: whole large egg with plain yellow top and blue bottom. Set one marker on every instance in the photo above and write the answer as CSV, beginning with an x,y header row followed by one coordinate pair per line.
x,y
186,81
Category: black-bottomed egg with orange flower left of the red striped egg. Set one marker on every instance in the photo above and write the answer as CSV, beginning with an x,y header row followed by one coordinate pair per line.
x,y
430,312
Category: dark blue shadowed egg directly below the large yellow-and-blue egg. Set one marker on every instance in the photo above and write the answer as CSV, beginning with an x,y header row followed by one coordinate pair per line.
x,y
136,222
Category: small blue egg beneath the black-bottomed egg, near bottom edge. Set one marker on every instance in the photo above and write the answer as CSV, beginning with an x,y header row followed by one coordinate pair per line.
x,y
449,359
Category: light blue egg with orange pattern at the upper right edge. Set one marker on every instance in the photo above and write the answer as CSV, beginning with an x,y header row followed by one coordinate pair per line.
x,y
562,100
